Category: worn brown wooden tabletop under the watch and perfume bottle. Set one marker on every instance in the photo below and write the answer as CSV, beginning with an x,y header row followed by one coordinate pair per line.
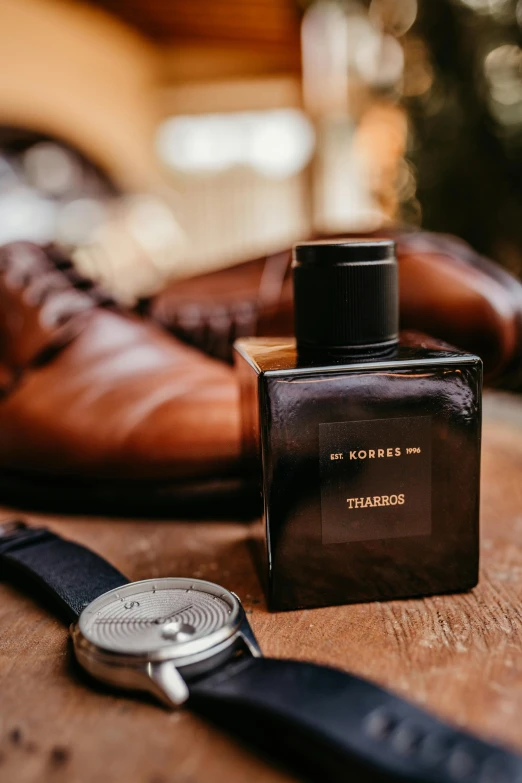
x,y
459,655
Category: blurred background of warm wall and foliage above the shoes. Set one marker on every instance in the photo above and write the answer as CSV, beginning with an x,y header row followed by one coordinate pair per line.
x,y
159,139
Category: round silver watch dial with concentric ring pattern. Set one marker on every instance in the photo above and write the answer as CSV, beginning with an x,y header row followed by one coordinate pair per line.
x,y
174,616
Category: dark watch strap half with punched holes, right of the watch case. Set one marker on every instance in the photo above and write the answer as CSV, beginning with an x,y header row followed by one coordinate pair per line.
x,y
347,725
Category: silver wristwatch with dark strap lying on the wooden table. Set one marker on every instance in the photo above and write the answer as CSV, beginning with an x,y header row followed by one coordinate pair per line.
x,y
189,641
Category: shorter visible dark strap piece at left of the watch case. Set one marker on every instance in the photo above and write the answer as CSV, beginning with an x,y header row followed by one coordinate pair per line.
x,y
49,566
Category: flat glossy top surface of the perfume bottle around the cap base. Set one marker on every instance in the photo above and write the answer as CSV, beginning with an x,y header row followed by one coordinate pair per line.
x,y
274,356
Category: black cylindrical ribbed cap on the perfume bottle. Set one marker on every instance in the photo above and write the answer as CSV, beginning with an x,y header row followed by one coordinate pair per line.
x,y
346,296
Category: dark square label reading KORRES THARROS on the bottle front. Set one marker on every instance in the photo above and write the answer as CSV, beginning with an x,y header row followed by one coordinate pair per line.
x,y
375,479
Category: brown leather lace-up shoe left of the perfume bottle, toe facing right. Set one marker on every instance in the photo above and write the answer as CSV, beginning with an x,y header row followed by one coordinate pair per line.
x,y
101,409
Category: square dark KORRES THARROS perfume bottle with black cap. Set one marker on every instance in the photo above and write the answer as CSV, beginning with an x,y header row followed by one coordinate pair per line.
x,y
366,442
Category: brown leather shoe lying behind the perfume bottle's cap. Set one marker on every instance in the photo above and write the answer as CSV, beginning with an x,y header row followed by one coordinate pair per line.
x,y
446,289
